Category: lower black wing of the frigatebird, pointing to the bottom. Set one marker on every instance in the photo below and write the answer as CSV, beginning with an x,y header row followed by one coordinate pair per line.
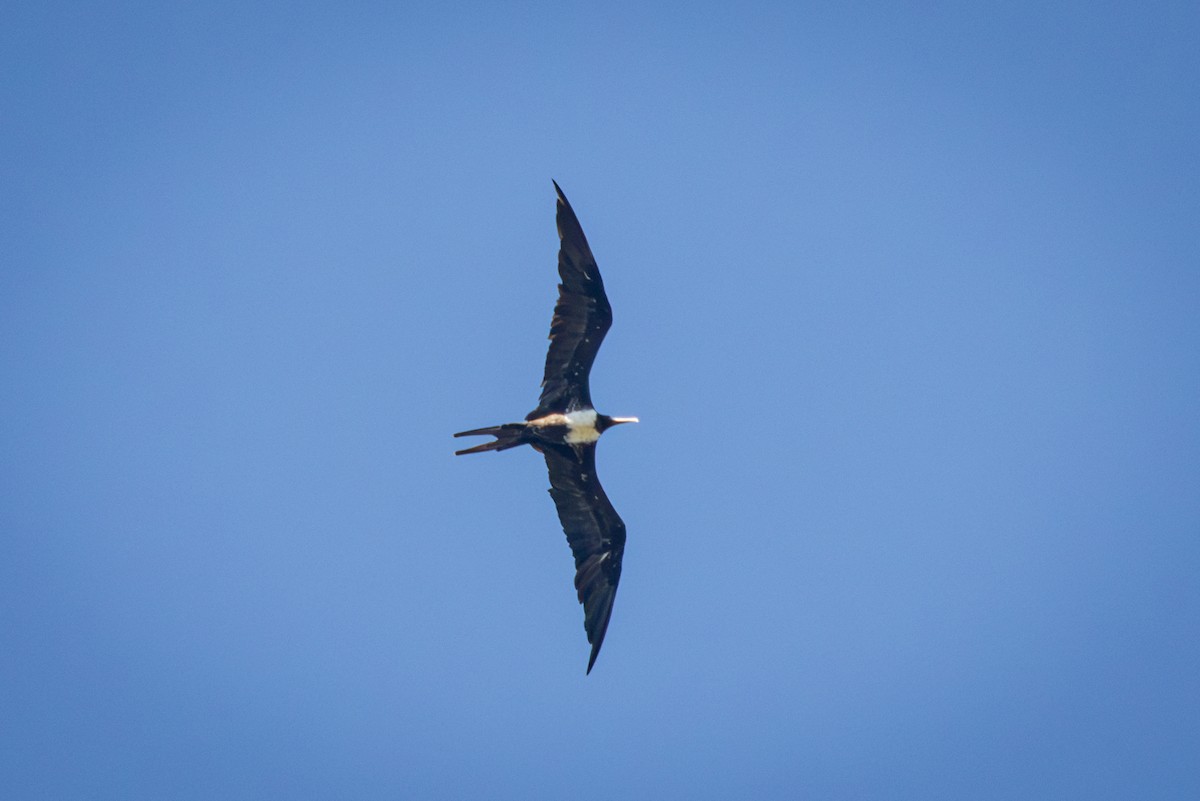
x,y
595,532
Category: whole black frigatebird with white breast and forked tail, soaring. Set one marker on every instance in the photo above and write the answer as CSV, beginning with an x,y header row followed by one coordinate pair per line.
x,y
566,429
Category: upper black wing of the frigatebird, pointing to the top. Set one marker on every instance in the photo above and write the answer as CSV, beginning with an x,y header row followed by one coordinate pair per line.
x,y
583,317
